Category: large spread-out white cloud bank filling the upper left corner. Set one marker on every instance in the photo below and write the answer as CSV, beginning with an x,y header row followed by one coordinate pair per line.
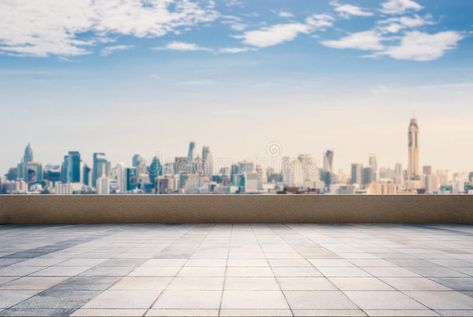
x,y
50,27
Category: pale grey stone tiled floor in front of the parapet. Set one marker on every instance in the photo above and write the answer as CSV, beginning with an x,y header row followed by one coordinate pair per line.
x,y
236,270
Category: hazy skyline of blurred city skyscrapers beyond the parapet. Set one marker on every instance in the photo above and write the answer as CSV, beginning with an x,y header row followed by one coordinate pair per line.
x,y
198,173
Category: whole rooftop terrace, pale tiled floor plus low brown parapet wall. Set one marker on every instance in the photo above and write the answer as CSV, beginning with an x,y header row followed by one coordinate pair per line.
x,y
259,269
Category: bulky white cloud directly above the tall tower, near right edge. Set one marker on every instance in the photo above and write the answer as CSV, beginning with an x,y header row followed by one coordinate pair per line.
x,y
419,46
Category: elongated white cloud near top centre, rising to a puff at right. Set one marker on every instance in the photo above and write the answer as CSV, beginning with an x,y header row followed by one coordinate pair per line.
x,y
279,33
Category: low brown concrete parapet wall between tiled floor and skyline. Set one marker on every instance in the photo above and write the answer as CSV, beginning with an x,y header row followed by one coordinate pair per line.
x,y
88,209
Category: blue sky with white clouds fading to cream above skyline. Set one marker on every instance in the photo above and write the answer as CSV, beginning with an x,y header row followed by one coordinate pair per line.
x,y
148,76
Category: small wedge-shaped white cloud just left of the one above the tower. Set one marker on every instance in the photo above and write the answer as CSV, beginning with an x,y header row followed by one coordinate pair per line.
x,y
367,40
